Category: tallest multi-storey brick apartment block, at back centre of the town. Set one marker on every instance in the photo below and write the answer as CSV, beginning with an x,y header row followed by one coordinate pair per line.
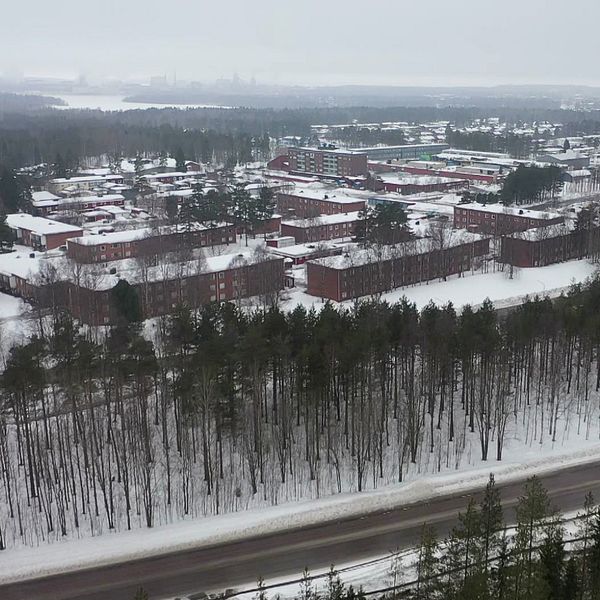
x,y
329,163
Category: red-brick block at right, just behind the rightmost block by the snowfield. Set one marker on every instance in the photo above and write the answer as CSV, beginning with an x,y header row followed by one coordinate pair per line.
x,y
501,220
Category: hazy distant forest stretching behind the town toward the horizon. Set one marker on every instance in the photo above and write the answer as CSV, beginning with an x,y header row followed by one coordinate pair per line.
x,y
33,136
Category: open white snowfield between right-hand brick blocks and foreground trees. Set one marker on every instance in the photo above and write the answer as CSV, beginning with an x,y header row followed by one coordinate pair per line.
x,y
475,288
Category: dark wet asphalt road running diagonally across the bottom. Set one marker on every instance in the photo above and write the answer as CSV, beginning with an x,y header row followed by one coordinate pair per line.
x,y
287,553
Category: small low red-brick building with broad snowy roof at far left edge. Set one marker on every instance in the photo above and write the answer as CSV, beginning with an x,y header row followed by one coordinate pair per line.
x,y
41,233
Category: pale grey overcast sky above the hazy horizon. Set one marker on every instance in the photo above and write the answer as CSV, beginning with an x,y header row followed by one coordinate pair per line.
x,y
414,42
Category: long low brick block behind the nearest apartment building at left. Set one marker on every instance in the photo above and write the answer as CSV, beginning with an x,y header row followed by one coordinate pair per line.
x,y
146,242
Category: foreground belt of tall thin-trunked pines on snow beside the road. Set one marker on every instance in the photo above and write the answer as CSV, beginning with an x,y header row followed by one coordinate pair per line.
x,y
227,408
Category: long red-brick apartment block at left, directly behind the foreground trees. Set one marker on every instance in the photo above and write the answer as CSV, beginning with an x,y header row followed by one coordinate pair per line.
x,y
160,290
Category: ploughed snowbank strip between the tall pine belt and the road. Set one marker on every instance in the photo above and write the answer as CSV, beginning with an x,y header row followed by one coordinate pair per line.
x,y
523,458
